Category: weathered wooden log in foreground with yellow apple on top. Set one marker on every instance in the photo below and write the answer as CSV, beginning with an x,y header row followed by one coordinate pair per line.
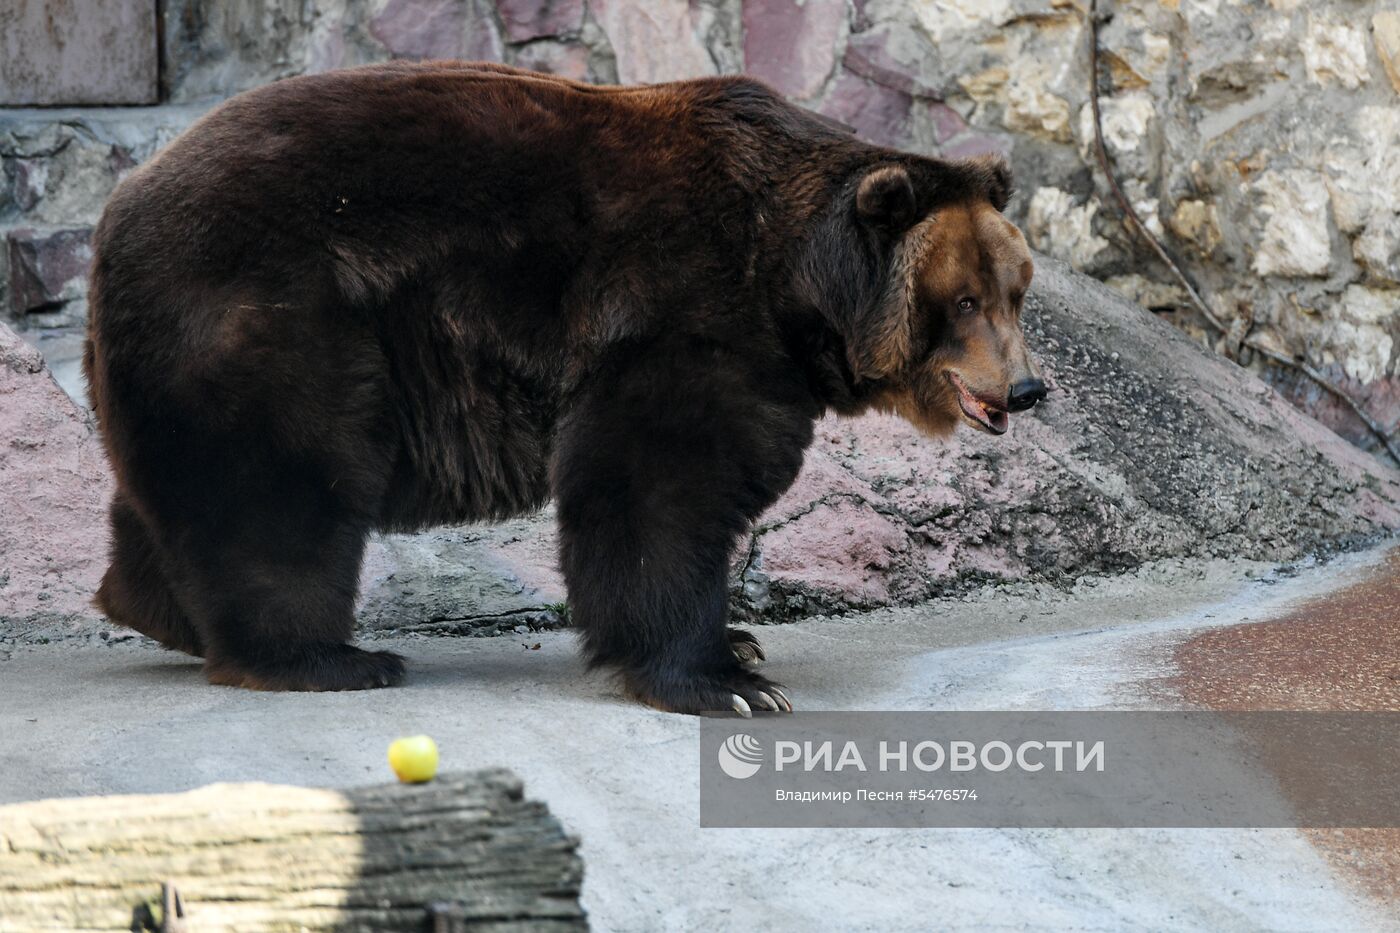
x,y
262,858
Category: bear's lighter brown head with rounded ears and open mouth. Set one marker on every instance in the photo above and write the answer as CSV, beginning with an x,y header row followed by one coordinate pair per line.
x,y
934,330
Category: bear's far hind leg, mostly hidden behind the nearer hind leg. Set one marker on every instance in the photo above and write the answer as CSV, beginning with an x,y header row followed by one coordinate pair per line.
x,y
135,589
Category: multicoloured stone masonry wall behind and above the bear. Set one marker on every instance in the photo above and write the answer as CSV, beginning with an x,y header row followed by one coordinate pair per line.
x,y
1261,139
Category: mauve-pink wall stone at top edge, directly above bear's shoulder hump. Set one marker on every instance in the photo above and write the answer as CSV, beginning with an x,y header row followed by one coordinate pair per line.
x,y
793,46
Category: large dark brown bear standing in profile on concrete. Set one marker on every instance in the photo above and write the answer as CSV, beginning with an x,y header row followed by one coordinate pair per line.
x,y
412,295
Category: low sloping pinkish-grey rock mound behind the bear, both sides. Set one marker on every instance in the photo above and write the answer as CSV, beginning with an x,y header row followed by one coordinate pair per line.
x,y
1149,448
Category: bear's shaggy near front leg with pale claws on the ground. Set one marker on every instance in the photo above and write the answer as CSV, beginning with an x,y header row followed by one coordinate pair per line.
x,y
656,478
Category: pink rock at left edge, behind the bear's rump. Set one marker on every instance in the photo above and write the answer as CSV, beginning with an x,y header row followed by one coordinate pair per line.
x,y
54,491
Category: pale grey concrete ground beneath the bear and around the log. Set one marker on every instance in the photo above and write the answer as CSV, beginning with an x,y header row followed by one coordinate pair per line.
x,y
87,717
